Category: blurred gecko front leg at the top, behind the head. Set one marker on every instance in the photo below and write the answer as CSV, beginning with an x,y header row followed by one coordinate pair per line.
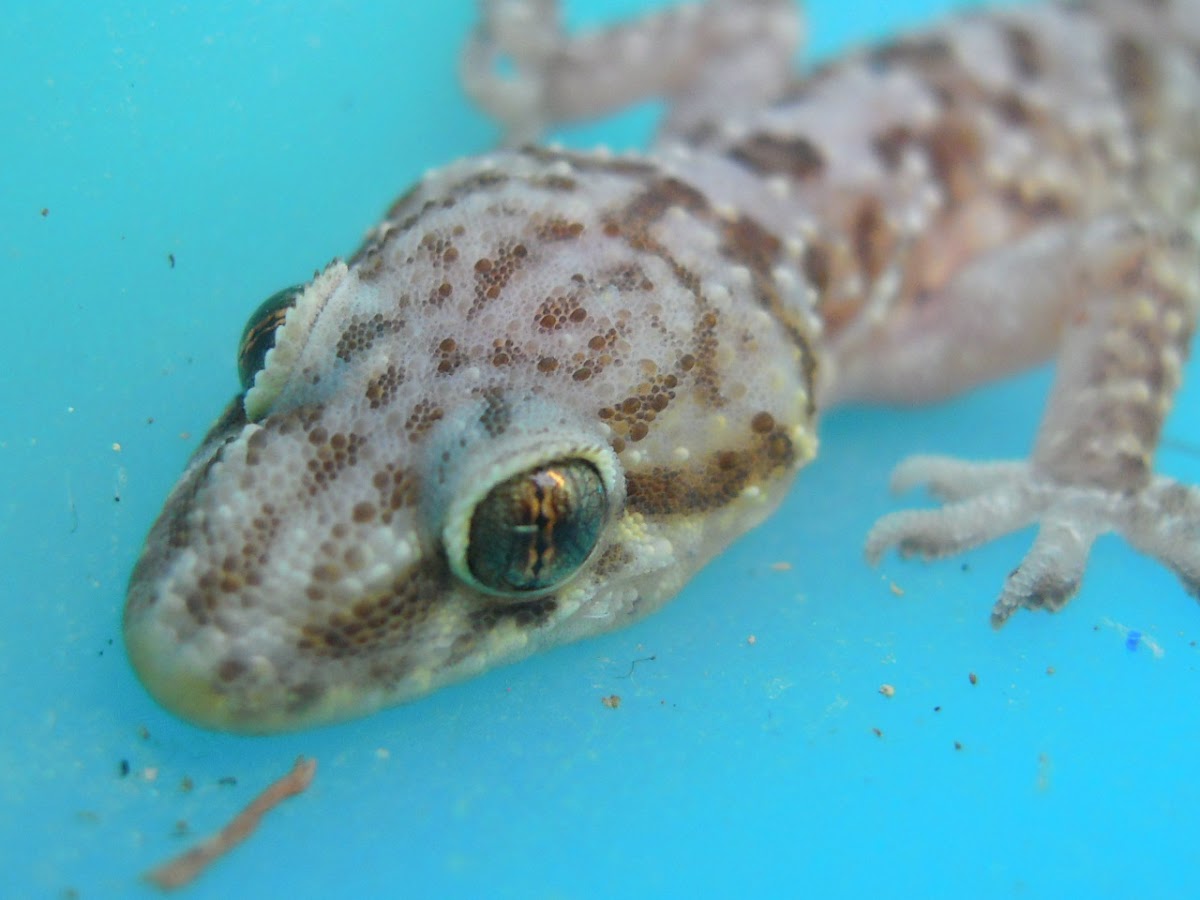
x,y
705,61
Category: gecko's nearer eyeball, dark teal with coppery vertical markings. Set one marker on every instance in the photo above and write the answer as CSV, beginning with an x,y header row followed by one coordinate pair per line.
x,y
536,530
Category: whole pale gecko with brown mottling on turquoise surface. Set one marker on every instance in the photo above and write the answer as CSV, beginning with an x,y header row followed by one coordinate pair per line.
x,y
551,386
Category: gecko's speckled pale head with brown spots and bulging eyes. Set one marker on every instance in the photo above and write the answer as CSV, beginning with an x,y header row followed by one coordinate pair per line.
x,y
485,435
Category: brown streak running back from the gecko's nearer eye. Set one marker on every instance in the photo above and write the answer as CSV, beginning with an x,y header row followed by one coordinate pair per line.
x,y
713,483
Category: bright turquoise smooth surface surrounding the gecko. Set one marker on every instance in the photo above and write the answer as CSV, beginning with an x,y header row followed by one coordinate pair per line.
x,y
253,142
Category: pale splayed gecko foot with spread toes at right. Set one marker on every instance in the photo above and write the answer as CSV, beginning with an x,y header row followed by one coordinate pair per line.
x,y
989,500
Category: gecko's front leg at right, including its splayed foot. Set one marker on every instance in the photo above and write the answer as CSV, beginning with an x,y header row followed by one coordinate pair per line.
x,y
1125,337
